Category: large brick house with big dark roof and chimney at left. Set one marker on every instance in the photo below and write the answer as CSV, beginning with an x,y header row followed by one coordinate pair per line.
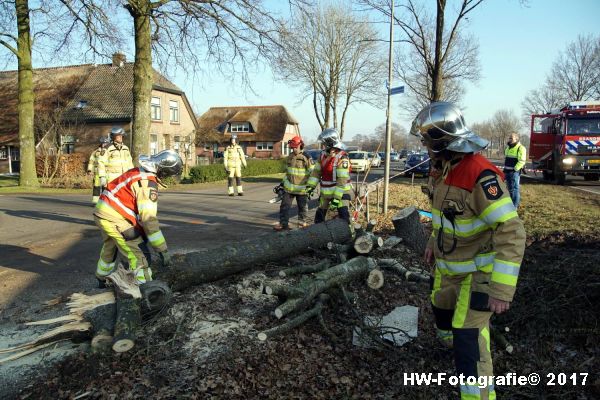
x,y
87,101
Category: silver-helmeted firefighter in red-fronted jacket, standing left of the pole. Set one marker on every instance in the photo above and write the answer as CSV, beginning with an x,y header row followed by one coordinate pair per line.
x,y
333,173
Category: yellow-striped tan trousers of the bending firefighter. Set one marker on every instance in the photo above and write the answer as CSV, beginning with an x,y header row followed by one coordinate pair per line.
x,y
122,238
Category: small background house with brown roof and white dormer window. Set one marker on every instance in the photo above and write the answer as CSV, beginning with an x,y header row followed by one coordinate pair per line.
x,y
262,131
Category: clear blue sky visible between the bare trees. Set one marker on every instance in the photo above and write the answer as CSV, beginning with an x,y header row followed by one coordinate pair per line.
x,y
517,47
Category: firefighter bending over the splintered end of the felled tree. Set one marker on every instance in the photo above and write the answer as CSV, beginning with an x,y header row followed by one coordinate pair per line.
x,y
126,216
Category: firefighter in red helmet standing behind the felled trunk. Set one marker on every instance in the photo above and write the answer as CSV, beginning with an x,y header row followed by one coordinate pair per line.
x,y
299,168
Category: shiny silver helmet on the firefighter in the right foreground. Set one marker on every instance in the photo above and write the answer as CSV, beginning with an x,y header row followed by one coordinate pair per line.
x,y
441,126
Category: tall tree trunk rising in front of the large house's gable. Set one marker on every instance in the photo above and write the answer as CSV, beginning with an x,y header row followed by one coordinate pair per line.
x,y
141,11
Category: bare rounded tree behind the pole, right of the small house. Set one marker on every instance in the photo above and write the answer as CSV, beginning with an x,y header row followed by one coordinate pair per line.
x,y
331,54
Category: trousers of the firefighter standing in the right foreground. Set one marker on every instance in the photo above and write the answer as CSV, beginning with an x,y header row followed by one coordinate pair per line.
x,y
462,317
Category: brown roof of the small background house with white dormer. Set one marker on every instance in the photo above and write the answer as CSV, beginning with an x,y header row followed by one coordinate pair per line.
x,y
267,123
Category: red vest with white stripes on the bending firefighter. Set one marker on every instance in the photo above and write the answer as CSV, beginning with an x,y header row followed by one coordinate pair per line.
x,y
119,195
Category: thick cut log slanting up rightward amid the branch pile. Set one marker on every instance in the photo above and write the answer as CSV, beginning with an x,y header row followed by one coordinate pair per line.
x,y
310,288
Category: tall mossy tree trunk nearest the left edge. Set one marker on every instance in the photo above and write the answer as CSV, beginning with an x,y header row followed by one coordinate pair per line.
x,y
28,176
